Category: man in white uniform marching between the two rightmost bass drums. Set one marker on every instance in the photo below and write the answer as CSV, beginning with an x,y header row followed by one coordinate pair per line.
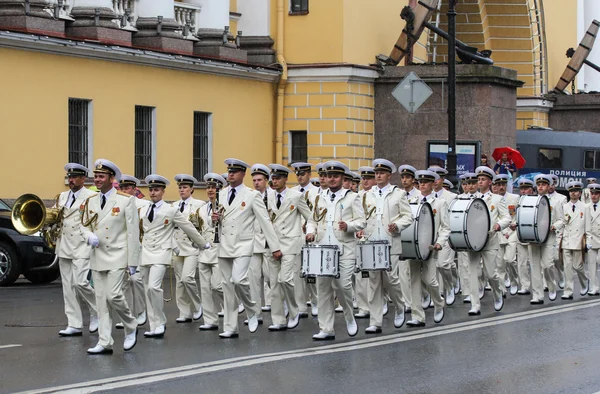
x,y
507,265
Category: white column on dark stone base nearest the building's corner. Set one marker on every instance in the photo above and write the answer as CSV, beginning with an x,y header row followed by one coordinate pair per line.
x,y
255,25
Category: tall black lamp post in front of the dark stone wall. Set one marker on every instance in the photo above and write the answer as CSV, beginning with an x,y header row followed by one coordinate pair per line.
x,y
452,92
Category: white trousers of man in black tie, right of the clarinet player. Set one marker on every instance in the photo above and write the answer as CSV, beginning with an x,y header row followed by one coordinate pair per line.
x,y
236,286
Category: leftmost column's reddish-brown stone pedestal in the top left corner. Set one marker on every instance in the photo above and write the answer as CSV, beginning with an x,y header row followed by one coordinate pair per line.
x,y
35,17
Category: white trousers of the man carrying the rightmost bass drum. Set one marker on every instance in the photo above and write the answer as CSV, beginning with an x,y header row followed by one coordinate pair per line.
x,y
542,263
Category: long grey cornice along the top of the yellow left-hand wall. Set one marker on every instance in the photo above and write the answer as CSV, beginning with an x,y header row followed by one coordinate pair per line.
x,y
114,53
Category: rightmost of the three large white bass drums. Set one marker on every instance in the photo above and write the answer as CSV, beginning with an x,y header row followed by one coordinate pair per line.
x,y
533,219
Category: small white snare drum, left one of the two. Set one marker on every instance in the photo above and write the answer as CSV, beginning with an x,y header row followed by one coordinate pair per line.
x,y
320,260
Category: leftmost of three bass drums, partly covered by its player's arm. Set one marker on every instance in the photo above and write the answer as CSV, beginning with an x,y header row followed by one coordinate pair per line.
x,y
420,235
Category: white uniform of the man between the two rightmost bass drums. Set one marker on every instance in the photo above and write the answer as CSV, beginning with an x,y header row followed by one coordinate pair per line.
x,y
507,265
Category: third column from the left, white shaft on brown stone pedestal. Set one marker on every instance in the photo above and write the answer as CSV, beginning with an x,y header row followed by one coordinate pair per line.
x,y
157,28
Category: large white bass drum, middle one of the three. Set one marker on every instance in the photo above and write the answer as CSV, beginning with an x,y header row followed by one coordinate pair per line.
x,y
469,224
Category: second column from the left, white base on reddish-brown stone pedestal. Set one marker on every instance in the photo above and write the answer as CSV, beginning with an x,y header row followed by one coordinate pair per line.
x,y
96,20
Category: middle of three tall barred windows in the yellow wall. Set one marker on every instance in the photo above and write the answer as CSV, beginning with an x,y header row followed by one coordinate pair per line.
x,y
144,141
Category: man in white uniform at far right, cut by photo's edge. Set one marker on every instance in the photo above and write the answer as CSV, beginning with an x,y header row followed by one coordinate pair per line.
x,y
592,236
